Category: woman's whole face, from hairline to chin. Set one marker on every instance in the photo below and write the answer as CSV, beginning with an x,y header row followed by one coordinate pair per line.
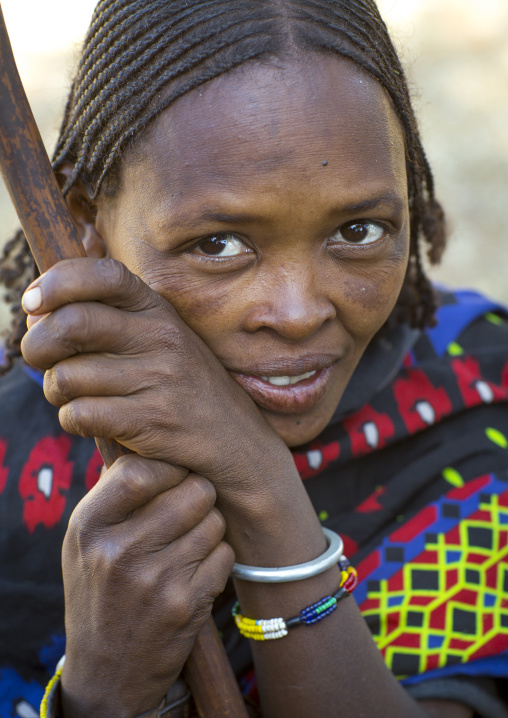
x,y
270,208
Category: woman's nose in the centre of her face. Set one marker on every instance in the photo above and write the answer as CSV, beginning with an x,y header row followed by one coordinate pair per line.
x,y
292,303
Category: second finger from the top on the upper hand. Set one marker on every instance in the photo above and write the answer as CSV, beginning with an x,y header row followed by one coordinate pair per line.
x,y
80,328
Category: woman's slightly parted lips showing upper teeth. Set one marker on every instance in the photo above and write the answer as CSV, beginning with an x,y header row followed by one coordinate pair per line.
x,y
277,393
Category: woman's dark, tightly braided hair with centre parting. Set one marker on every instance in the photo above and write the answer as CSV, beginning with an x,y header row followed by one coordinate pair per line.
x,y
139,56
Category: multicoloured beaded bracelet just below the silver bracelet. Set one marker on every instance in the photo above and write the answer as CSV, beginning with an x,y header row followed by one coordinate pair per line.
x,y
272,628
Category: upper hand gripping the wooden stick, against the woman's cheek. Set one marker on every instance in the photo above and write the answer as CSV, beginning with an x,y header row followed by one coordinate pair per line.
x,y
122,364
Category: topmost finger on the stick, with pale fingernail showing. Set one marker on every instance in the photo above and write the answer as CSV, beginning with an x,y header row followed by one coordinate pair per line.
x,y
89,279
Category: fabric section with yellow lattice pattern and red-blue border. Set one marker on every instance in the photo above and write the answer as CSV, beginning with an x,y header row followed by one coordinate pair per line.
x,y
435,593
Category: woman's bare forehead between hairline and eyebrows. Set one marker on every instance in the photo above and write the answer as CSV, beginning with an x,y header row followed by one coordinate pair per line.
x,y
315,119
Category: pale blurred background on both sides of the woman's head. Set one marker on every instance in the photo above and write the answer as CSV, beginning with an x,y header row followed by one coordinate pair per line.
x,y
456,55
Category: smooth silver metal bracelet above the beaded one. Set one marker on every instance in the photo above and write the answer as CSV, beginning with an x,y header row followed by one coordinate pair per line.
x,y
294,573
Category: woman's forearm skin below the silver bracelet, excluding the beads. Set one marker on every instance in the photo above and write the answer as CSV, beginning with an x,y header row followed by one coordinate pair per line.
x,y
331,668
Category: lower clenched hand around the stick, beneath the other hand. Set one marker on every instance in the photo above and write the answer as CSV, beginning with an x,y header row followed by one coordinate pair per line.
x,y
143,560
